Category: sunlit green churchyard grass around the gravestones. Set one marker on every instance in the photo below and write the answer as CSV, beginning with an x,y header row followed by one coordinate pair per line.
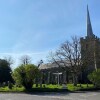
x,y
49,88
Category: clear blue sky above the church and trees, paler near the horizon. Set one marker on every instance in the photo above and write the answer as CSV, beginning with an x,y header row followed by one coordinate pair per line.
x,y
36,27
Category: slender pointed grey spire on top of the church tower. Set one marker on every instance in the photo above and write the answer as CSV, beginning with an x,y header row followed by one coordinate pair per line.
x,y
89,26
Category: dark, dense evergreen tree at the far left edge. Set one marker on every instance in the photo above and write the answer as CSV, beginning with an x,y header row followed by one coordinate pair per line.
x,y
5,71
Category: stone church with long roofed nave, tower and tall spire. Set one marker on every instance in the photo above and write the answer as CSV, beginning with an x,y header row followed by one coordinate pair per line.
x,y
90,55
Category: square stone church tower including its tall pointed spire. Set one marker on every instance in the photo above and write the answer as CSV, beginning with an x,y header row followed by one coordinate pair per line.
x,y
90,48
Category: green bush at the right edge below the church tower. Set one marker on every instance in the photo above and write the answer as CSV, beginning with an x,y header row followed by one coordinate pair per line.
x,y
94,77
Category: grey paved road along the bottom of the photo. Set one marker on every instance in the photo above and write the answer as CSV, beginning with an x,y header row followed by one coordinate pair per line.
x,y
51,96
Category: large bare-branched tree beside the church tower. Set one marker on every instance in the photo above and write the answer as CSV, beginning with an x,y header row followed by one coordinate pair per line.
x,y
69,56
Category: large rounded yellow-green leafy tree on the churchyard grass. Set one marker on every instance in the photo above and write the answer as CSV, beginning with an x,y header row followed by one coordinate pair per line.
x,y
25,75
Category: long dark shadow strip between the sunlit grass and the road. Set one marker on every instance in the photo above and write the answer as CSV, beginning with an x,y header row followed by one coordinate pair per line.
x,y
56,91
